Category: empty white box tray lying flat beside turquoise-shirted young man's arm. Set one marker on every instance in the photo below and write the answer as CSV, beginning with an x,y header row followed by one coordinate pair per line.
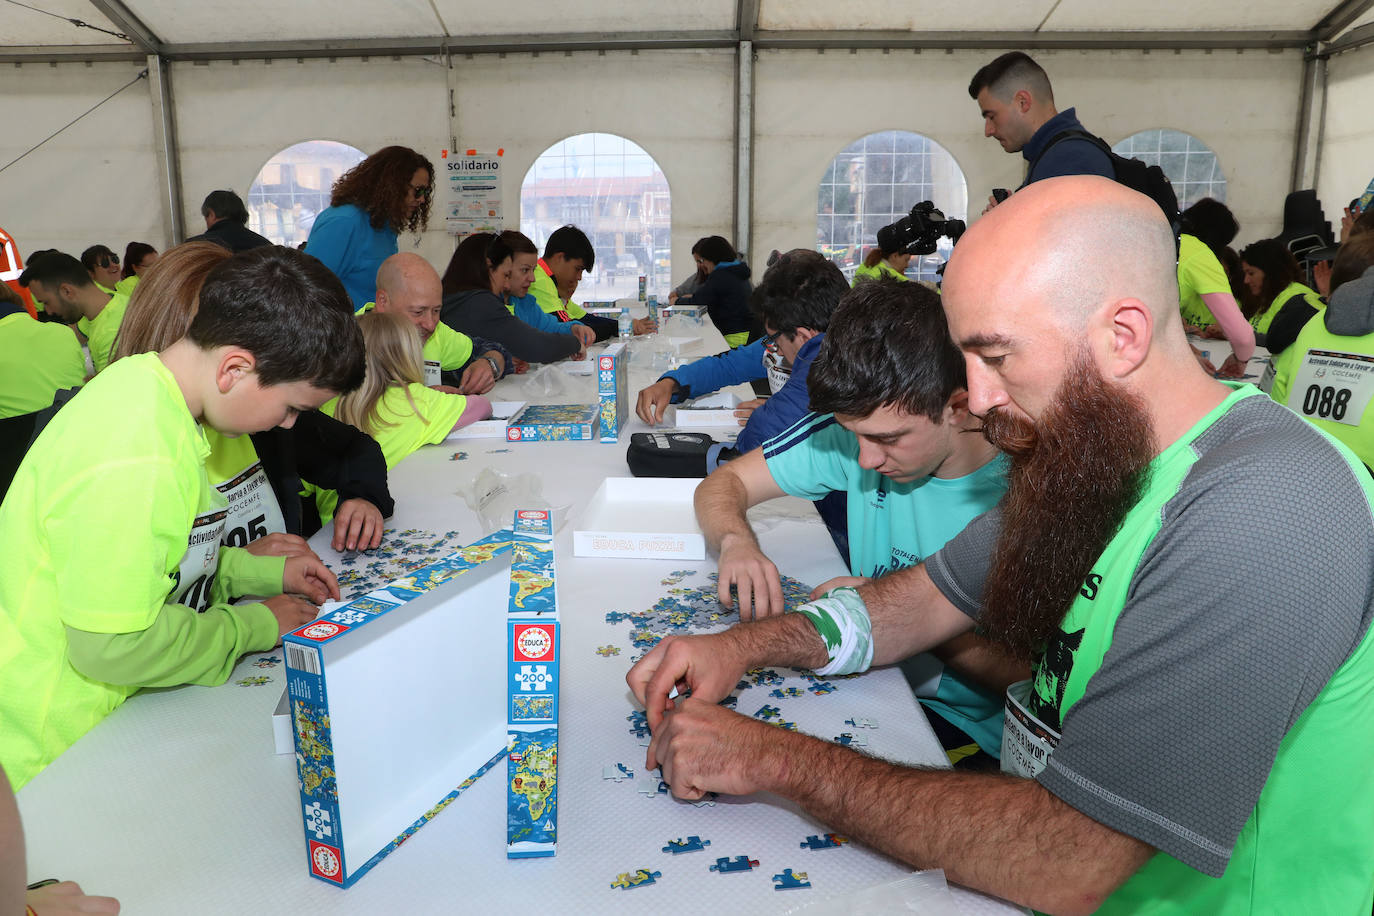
x,y
642,518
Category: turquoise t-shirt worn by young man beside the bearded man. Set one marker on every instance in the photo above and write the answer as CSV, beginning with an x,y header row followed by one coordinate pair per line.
x,y
892,527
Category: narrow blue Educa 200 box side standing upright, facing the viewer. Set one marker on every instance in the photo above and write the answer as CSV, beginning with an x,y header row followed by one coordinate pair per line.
x,y
532,683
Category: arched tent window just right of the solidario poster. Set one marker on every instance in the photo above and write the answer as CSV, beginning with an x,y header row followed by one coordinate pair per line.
x,y
613,192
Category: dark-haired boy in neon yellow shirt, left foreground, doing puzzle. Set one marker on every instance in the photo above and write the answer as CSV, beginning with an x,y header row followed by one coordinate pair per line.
x,y
112,575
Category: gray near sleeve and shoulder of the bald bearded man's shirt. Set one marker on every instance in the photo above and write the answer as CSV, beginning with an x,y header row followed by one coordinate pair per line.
x,y
1255,591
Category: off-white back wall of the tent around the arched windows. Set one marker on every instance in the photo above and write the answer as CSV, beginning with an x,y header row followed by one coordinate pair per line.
x,y
98,181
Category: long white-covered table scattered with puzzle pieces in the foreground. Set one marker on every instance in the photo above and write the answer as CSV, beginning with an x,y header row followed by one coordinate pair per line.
x,y
177,803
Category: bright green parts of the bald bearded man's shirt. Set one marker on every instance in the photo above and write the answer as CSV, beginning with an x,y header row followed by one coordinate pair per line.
x,y
1306,848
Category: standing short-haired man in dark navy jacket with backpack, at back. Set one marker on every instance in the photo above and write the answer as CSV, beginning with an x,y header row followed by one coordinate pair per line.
x,y
1017,104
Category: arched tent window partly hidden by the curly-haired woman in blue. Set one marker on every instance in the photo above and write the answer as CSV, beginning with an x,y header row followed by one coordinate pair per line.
x,y
295,186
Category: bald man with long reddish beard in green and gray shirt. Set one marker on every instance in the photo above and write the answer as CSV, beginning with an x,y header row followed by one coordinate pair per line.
x,y
1189,572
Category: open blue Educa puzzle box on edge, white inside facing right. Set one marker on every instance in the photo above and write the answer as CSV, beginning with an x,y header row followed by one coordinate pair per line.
x,y
388,729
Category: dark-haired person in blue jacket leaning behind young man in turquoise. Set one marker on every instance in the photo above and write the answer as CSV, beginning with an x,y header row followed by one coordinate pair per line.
x,y
795,301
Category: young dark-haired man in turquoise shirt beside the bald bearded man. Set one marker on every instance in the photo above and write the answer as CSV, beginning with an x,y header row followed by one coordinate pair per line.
x,y
892,432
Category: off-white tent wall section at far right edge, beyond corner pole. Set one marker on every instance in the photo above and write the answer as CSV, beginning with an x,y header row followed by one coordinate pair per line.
x,y
1346,161
